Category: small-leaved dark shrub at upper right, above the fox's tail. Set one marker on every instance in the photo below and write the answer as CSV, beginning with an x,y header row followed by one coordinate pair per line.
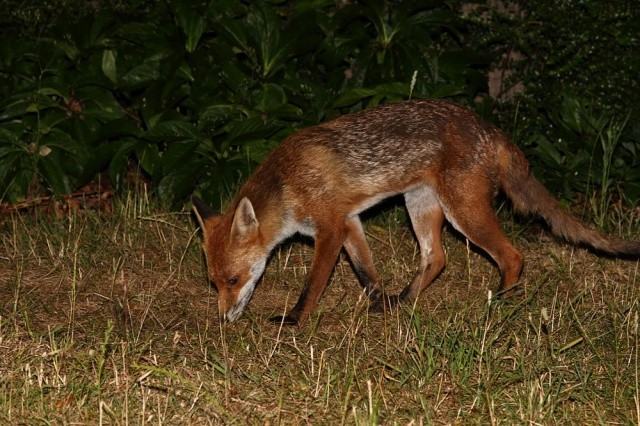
x,y
577,116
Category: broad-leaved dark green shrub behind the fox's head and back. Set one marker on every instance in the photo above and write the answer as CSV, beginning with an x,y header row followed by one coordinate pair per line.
x,y
193,94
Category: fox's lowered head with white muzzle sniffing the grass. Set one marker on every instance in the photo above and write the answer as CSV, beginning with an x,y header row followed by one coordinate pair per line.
x,y
235,256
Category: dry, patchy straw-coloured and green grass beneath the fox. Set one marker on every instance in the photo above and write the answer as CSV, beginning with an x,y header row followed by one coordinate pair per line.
x,y
108,319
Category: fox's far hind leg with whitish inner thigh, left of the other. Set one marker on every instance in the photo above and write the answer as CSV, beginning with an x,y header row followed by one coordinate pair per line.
x,y
427,220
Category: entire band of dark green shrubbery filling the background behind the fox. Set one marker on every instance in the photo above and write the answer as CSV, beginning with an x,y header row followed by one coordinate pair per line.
x,y
193,94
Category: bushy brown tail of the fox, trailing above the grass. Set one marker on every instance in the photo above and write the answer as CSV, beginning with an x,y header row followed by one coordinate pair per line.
x,y
529,196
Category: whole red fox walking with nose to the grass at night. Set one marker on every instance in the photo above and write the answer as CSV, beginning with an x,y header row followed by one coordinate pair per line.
x,y
446,161
